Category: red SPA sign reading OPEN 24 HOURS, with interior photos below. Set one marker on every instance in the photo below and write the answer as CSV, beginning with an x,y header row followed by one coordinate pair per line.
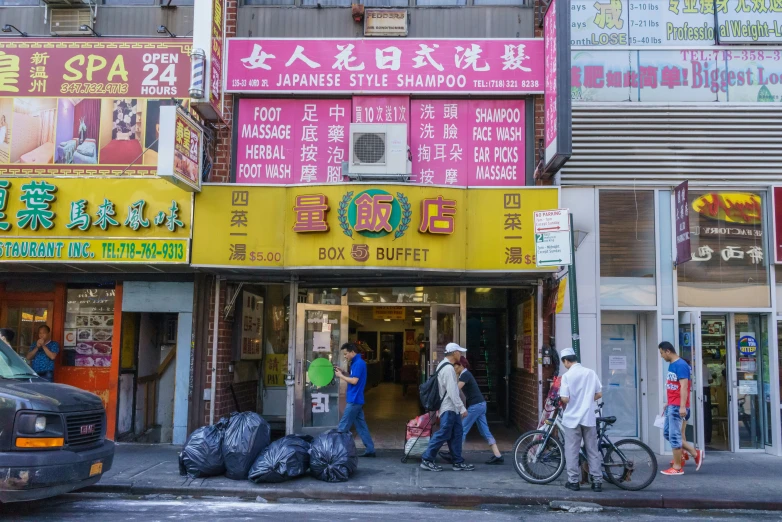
x,y
85,107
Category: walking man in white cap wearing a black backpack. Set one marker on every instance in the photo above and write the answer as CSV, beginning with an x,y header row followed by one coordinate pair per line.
x,y
450,410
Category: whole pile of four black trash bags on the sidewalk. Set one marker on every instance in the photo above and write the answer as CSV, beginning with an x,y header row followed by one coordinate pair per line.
x,y
239,447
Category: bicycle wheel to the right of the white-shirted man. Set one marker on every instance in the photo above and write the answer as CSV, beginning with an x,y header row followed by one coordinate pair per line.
x,y
631,465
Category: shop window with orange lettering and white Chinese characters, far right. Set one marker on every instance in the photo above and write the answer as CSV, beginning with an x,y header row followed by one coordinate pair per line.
x,y
729,265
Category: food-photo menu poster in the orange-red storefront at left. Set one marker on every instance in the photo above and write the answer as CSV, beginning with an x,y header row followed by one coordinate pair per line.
x,y
89,327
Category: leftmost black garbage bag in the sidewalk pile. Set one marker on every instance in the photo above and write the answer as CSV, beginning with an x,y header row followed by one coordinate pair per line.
x,y
202,455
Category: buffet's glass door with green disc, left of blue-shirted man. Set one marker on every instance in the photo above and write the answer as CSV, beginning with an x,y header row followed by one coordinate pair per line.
x,y
320,396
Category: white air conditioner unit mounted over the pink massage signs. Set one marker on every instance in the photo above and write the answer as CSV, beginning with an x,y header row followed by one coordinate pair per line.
x,y
379,151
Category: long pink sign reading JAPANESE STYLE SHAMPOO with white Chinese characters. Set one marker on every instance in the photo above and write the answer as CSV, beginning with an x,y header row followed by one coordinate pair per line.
x,y
446,66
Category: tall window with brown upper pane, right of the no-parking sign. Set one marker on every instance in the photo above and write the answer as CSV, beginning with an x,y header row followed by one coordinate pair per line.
x,y
627,253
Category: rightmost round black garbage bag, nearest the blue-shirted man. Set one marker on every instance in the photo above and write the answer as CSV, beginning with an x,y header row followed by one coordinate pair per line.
x,y
333,456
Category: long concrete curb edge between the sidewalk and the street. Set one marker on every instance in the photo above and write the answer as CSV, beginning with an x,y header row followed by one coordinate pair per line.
x,y
437,496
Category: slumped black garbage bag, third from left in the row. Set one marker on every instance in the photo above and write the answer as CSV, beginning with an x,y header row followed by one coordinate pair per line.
x,y
283,459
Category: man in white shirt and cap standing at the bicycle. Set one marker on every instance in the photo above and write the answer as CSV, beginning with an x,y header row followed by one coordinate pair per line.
x,y
579,390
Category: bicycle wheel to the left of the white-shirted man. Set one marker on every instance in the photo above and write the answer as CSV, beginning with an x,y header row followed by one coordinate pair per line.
x,y
536,462
